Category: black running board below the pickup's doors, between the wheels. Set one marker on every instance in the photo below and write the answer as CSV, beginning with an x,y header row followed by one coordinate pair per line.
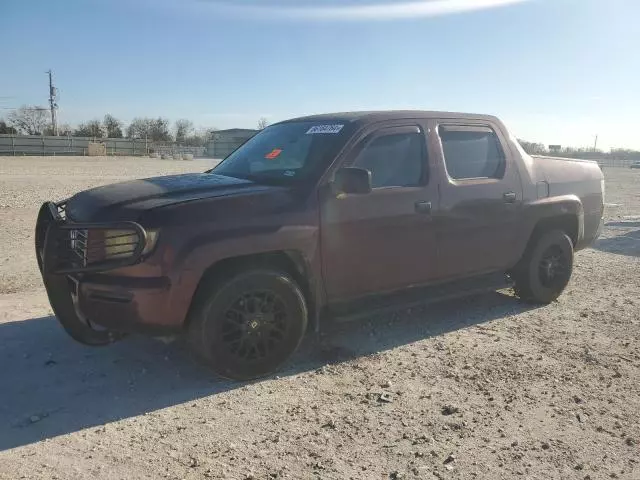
x,y
417,296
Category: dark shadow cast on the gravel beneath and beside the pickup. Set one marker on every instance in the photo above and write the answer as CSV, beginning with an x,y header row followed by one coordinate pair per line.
x,y
51,386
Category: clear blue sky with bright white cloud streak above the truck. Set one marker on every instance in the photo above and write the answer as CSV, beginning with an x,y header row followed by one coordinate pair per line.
x,y
555,71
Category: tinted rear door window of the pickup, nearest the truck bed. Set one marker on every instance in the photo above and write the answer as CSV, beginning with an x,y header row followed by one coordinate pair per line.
x,y
472,152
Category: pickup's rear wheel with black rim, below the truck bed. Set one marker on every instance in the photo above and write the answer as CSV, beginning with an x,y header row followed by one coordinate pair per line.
x,y
545,270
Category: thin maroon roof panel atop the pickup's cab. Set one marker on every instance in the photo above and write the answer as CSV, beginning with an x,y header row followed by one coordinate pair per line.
x,y
381,115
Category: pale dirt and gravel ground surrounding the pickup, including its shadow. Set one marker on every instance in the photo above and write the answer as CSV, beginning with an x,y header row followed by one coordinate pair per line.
x,y
485,388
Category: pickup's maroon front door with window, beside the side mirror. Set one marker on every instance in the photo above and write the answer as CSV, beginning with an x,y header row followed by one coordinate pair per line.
x,y
384,240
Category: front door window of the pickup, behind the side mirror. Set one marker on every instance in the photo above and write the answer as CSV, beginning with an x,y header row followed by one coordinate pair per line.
x,y
394,160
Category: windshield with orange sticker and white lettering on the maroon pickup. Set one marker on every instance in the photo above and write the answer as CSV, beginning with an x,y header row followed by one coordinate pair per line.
x,y
286,152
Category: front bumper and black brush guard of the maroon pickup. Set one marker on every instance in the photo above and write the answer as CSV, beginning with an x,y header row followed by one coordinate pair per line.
x,y
92,304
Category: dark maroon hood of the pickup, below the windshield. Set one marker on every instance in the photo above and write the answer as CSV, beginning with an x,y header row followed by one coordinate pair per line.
x,y
126,200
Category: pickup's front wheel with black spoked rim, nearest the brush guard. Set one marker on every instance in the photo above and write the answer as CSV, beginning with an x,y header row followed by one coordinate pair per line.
x,y
249,325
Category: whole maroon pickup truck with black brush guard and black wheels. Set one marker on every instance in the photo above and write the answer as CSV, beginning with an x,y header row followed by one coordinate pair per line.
x,y
315,218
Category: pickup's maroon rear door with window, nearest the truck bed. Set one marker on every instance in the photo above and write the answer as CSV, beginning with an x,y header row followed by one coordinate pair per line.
x,y
480,199
